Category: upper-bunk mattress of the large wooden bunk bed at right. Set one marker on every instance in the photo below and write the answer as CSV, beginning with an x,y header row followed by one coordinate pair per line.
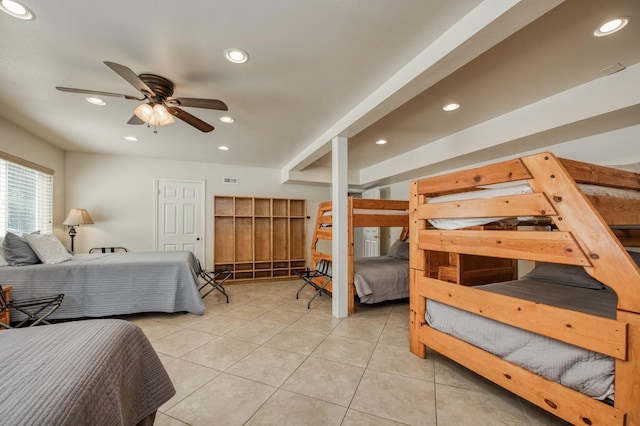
x,y
519,189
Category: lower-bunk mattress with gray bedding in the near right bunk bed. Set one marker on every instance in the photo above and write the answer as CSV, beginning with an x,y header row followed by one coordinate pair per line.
x,y
580,369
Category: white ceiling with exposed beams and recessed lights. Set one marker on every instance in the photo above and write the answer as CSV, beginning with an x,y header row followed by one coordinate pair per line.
x,y
365,69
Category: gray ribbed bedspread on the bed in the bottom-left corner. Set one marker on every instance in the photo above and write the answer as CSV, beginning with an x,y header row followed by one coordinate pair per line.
x,y
97,372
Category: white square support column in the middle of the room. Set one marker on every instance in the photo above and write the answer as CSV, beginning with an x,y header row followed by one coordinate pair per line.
x,y
339,252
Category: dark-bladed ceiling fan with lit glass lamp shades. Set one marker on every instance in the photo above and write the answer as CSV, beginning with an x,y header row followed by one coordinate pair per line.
x,y
157,91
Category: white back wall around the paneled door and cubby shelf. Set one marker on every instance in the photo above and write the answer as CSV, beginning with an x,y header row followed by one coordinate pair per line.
x,y
118,192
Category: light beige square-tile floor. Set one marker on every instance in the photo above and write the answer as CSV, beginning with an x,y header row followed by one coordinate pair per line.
x,y
265,359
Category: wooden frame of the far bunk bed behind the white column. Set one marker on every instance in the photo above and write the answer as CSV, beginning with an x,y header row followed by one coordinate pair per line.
x,y
361,213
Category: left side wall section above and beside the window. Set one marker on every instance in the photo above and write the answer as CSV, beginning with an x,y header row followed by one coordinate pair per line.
x,y
17,141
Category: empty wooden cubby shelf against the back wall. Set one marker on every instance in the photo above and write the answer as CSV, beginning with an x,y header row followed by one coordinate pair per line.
x,y
259,238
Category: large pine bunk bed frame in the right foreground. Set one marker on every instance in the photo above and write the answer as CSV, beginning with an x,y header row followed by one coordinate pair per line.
x,y
581,235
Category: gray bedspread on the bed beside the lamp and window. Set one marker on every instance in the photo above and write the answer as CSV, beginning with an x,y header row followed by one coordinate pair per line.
x,y
98,285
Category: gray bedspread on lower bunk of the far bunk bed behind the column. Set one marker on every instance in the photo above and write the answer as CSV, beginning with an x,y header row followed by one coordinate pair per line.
x,y
381,278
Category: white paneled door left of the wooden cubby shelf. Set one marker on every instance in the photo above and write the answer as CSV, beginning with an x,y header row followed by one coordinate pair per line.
x,y
180,216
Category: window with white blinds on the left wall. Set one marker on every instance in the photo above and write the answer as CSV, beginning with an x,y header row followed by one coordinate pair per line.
x,y
26,196
